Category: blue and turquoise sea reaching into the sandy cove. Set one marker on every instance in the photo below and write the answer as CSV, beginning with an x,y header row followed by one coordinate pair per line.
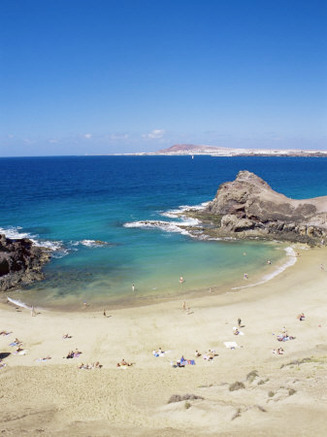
x,y
72,203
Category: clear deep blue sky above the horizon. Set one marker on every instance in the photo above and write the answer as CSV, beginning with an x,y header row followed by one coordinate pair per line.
x,y
116,76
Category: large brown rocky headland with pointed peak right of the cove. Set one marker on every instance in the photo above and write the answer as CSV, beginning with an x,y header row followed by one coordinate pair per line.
x,y
249,208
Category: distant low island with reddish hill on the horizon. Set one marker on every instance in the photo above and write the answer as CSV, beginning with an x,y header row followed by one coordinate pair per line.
x,y
192,150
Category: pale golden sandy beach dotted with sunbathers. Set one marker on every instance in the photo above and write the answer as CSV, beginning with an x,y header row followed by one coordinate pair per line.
x,y
247,390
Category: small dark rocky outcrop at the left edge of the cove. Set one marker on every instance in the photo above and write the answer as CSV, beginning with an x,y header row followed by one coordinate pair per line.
x,y
21,262
